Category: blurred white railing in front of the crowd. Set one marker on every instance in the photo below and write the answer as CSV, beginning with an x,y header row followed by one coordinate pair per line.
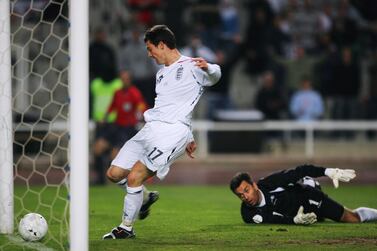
x,y
202,127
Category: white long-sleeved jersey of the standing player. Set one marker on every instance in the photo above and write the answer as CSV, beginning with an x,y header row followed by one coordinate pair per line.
x,y
178,89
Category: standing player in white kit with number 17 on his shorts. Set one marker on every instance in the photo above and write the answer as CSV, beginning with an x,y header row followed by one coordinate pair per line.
x,y
167,133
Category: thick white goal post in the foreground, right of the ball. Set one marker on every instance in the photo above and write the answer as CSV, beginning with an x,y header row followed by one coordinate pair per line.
x,y
79,124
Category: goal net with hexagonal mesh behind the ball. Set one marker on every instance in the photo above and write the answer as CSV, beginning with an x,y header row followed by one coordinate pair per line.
x,y
40,120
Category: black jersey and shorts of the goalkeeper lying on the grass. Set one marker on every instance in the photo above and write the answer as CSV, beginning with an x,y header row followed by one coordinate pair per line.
x,y
284,194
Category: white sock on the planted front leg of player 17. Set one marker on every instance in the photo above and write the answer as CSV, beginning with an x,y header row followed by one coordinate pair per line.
x,y
132,204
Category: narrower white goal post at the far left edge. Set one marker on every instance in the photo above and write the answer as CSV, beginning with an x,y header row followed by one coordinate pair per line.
x,y
6,138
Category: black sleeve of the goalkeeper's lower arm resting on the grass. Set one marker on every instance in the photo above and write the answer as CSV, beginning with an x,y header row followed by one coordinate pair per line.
x,y
258,215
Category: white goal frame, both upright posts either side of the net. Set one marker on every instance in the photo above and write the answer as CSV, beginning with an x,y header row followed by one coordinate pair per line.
x,y
78,117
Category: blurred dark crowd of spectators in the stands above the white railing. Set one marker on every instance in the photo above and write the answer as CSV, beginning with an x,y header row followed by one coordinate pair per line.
x,y
304,59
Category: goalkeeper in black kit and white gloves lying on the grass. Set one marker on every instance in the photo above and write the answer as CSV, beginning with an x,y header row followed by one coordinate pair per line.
x,y
293,197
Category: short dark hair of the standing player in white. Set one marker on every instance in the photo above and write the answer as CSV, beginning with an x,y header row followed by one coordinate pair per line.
x,y
160,33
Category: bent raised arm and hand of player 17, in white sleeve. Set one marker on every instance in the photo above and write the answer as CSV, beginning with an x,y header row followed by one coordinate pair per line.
x,y
205,73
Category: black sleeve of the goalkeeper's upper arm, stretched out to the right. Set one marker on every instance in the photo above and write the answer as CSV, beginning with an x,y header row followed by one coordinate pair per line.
x,y
291,176
